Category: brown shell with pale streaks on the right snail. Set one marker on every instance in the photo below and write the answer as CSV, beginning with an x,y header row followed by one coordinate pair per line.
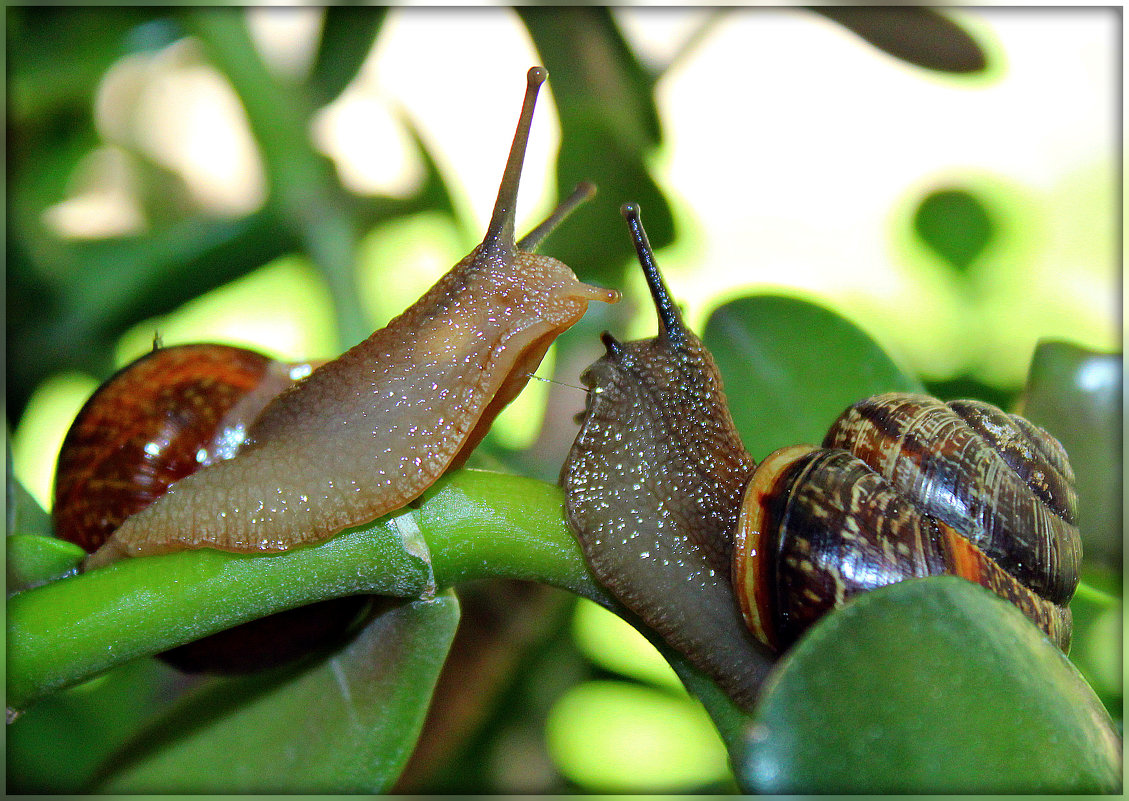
x,y
908,486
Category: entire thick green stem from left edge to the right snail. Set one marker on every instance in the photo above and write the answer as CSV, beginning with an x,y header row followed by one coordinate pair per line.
x,y
475,526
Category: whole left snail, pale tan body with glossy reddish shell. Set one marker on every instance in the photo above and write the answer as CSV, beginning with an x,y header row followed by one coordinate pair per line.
x,y
214,447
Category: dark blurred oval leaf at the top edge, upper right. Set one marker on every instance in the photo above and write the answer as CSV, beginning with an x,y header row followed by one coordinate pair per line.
x,y
916,36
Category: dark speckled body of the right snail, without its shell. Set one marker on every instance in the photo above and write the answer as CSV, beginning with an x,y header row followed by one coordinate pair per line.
x,y
653,484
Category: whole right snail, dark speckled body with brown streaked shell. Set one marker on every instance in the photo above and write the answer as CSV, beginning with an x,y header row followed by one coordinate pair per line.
x,y
730,562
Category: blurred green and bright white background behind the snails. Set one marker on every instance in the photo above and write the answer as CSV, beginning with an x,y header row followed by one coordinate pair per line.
x,y
292,179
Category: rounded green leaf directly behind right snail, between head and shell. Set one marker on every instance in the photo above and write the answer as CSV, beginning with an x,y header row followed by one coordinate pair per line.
x,y
792,367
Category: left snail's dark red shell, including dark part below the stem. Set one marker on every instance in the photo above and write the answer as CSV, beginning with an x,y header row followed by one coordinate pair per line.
x,y
159,420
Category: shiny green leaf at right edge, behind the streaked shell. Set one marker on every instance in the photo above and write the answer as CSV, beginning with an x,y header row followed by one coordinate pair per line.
x,y
1075,394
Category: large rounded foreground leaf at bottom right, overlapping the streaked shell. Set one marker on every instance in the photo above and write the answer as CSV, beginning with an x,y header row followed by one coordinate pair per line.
x,y
932,686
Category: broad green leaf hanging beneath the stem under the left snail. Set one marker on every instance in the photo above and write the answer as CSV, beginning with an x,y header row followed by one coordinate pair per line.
x,y
347,724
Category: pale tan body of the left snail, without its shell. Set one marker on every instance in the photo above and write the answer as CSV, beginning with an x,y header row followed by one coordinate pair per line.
x,y
371,431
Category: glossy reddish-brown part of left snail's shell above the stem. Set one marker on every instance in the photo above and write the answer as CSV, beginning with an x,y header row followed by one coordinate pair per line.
x,y
161,419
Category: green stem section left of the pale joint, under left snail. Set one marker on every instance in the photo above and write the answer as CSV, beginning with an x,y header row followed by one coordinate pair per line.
x,y
72,630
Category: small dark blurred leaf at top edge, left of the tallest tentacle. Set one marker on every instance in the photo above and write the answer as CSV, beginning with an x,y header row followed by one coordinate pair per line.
x,y
348,33
